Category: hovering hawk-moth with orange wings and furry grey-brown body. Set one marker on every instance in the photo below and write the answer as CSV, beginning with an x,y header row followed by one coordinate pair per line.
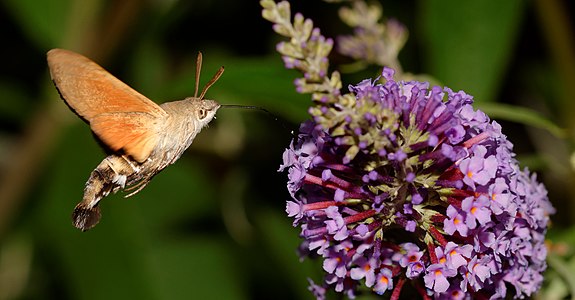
x,y
142,136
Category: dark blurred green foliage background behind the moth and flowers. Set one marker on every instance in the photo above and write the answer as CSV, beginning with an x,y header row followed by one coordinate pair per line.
x,y
213,225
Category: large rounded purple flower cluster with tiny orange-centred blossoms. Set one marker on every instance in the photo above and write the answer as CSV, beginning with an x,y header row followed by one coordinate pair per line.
x,y
402,184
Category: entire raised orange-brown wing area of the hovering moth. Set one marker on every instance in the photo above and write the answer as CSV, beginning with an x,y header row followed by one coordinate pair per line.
x,y
120,116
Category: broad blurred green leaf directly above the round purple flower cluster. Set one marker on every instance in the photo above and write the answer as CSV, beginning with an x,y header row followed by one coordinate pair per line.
x,y
468,43
